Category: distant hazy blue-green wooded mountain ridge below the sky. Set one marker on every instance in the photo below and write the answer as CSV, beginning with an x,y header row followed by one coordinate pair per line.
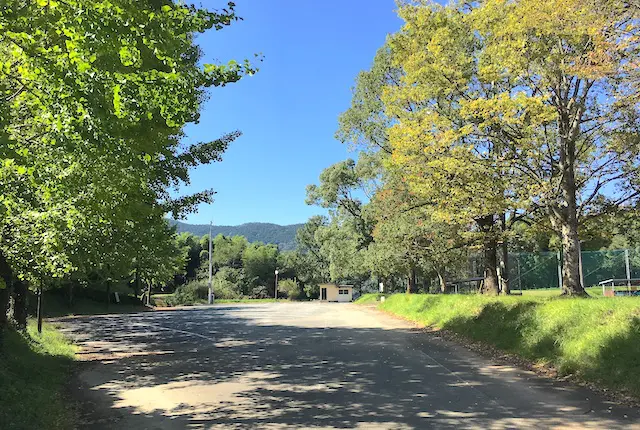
x,y
282,235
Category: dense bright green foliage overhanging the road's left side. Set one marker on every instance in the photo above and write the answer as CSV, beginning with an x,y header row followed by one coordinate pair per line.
x,y
93,99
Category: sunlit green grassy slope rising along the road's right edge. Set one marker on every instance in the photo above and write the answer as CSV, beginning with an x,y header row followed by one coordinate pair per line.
x,y
595,339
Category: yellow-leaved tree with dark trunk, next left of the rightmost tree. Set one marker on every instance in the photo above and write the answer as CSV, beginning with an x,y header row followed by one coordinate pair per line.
x,y
455,174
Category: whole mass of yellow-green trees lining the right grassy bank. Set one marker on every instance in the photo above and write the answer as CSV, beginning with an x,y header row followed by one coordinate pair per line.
x,y
476,119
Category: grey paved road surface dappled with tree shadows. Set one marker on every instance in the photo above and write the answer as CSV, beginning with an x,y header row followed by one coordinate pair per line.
x,y
306,365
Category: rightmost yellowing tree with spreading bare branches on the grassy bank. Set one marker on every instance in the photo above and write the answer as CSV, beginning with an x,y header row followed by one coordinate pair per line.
x,y
566,117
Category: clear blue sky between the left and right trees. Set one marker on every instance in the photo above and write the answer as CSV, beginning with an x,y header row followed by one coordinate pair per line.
x,y
288,112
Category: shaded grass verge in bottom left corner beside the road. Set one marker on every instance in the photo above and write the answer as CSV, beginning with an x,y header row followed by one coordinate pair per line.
x,y
33,372
